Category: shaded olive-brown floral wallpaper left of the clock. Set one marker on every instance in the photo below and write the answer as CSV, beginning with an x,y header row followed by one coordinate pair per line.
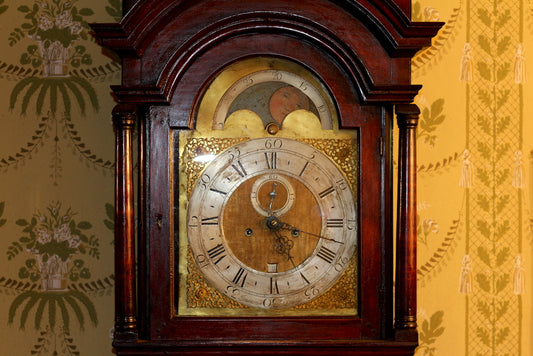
x,y
56,163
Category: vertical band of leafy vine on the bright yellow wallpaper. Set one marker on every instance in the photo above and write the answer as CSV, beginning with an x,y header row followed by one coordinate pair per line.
x,y
492,200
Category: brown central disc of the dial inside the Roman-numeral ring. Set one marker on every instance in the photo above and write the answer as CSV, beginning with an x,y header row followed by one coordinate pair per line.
x,y
275,240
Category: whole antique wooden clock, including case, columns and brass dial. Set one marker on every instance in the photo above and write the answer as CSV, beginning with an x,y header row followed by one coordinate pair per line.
x,y
265,195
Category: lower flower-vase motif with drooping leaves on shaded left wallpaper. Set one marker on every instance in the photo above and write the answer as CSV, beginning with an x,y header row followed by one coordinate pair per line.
x,y
55,247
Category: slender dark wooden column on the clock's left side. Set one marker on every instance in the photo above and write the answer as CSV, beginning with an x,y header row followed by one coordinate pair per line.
x,y
124,116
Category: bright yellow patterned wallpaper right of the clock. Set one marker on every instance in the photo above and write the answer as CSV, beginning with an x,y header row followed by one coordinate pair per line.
x,y
475,207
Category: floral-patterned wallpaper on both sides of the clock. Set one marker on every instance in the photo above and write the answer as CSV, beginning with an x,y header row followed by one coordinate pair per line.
x,y
475,174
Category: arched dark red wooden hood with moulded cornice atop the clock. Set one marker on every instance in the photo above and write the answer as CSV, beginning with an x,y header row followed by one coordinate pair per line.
x,y
370,41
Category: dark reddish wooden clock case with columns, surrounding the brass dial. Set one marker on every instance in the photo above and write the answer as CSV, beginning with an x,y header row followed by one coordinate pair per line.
x,y
171,50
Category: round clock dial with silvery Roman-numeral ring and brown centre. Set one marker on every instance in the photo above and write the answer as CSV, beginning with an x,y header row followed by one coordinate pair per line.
x,y
272,223
